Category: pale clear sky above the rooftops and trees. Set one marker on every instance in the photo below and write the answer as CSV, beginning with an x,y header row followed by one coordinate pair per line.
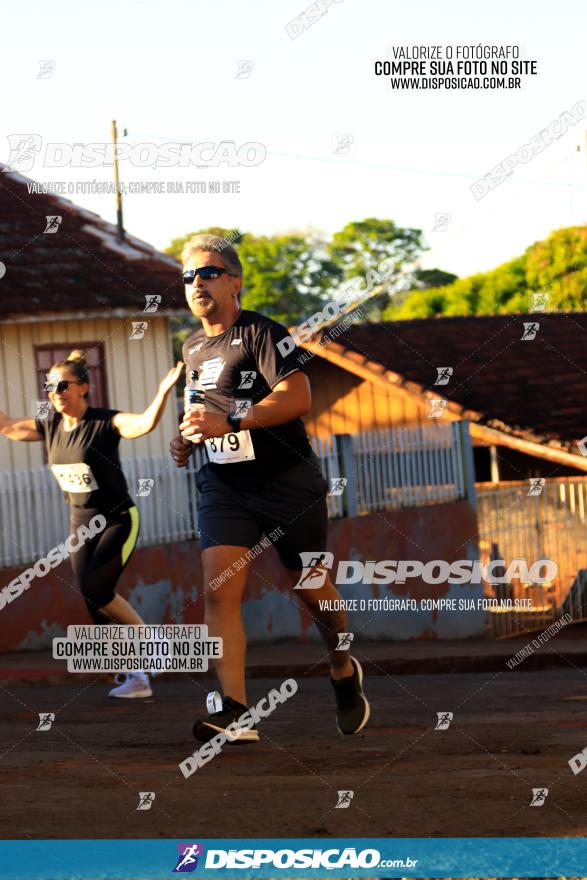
x,y
167,71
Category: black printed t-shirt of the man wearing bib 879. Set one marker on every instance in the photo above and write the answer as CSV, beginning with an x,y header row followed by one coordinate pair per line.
x,y
244,364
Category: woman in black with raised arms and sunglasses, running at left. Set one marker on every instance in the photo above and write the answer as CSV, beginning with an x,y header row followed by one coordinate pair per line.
x,y
82,446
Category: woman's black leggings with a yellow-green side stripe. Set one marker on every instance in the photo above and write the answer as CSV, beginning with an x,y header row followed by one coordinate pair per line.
x,y
100,560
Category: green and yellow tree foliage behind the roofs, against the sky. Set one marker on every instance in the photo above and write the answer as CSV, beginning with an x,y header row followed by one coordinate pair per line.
x,y
290,276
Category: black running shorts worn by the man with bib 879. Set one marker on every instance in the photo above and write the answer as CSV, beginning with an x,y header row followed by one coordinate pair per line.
x,y
294,501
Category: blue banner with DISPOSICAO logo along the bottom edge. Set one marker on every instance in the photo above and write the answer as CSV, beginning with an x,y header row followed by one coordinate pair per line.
x,y
292,858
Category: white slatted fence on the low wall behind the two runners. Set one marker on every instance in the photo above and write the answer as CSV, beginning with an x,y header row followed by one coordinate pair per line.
x,y
388,469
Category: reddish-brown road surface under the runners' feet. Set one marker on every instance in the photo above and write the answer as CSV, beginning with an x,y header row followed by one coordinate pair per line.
x,y
511,732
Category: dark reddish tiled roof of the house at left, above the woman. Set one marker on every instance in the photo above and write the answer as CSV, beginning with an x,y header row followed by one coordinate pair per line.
x,y
82,265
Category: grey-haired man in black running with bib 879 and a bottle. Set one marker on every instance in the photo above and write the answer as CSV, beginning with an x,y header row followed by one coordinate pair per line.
x,y
262,475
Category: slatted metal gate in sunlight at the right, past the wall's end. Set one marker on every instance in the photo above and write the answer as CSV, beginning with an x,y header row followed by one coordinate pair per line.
x,y
532,520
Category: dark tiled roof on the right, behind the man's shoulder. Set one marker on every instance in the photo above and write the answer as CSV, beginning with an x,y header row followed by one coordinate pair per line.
x,y
537,385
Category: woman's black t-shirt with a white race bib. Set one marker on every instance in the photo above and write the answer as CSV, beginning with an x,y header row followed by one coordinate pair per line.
x,y
85,461
